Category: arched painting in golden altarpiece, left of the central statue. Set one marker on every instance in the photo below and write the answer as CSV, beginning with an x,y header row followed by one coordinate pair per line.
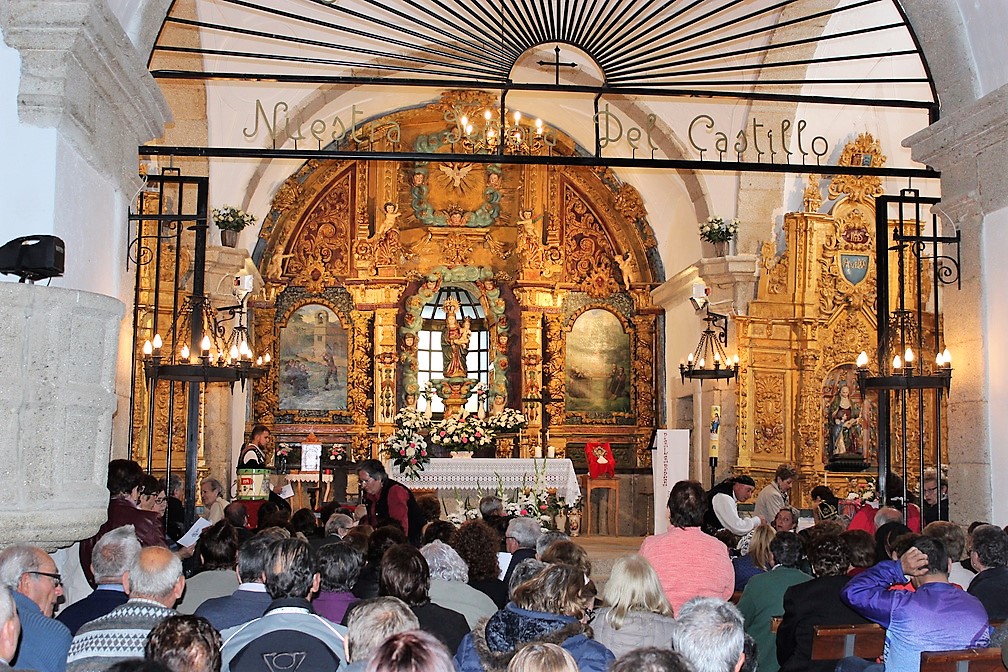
x,y
313,367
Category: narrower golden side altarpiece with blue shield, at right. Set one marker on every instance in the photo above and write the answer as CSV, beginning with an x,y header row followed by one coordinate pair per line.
x,y
799,400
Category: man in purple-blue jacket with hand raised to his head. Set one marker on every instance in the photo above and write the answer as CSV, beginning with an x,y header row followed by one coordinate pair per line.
x,y
936,617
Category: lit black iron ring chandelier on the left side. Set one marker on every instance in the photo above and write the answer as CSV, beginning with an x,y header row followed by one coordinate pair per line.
x,y
211,354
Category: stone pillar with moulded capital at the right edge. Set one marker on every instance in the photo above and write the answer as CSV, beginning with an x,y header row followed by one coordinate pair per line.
x,y
970,148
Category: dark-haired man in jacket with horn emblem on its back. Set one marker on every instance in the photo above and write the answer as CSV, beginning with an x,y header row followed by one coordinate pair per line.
x,y
290,631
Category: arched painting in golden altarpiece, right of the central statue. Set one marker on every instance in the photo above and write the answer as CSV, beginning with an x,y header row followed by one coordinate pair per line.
x,y
598,365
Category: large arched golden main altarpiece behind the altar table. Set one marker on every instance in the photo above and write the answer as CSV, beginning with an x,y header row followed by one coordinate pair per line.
x,y
560,260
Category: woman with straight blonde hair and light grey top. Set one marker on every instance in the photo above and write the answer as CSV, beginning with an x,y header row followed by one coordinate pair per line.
x,y
639,614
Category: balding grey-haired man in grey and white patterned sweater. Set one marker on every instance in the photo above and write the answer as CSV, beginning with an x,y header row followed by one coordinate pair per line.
x,y
155,584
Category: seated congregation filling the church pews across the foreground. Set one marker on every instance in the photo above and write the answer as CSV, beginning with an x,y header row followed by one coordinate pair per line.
x,y
500,595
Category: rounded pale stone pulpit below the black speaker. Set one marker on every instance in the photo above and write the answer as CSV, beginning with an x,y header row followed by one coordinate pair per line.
x,y
56,412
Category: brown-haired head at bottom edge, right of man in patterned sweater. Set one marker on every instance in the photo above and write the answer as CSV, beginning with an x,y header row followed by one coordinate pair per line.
x,y
185,644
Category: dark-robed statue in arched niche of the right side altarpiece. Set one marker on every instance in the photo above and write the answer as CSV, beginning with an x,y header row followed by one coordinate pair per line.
x,y
848,419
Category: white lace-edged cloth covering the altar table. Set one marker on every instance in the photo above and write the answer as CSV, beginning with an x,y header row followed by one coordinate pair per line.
x,y
472,474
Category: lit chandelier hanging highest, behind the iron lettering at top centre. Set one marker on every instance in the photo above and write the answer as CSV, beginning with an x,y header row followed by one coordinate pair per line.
x,y
503,133
